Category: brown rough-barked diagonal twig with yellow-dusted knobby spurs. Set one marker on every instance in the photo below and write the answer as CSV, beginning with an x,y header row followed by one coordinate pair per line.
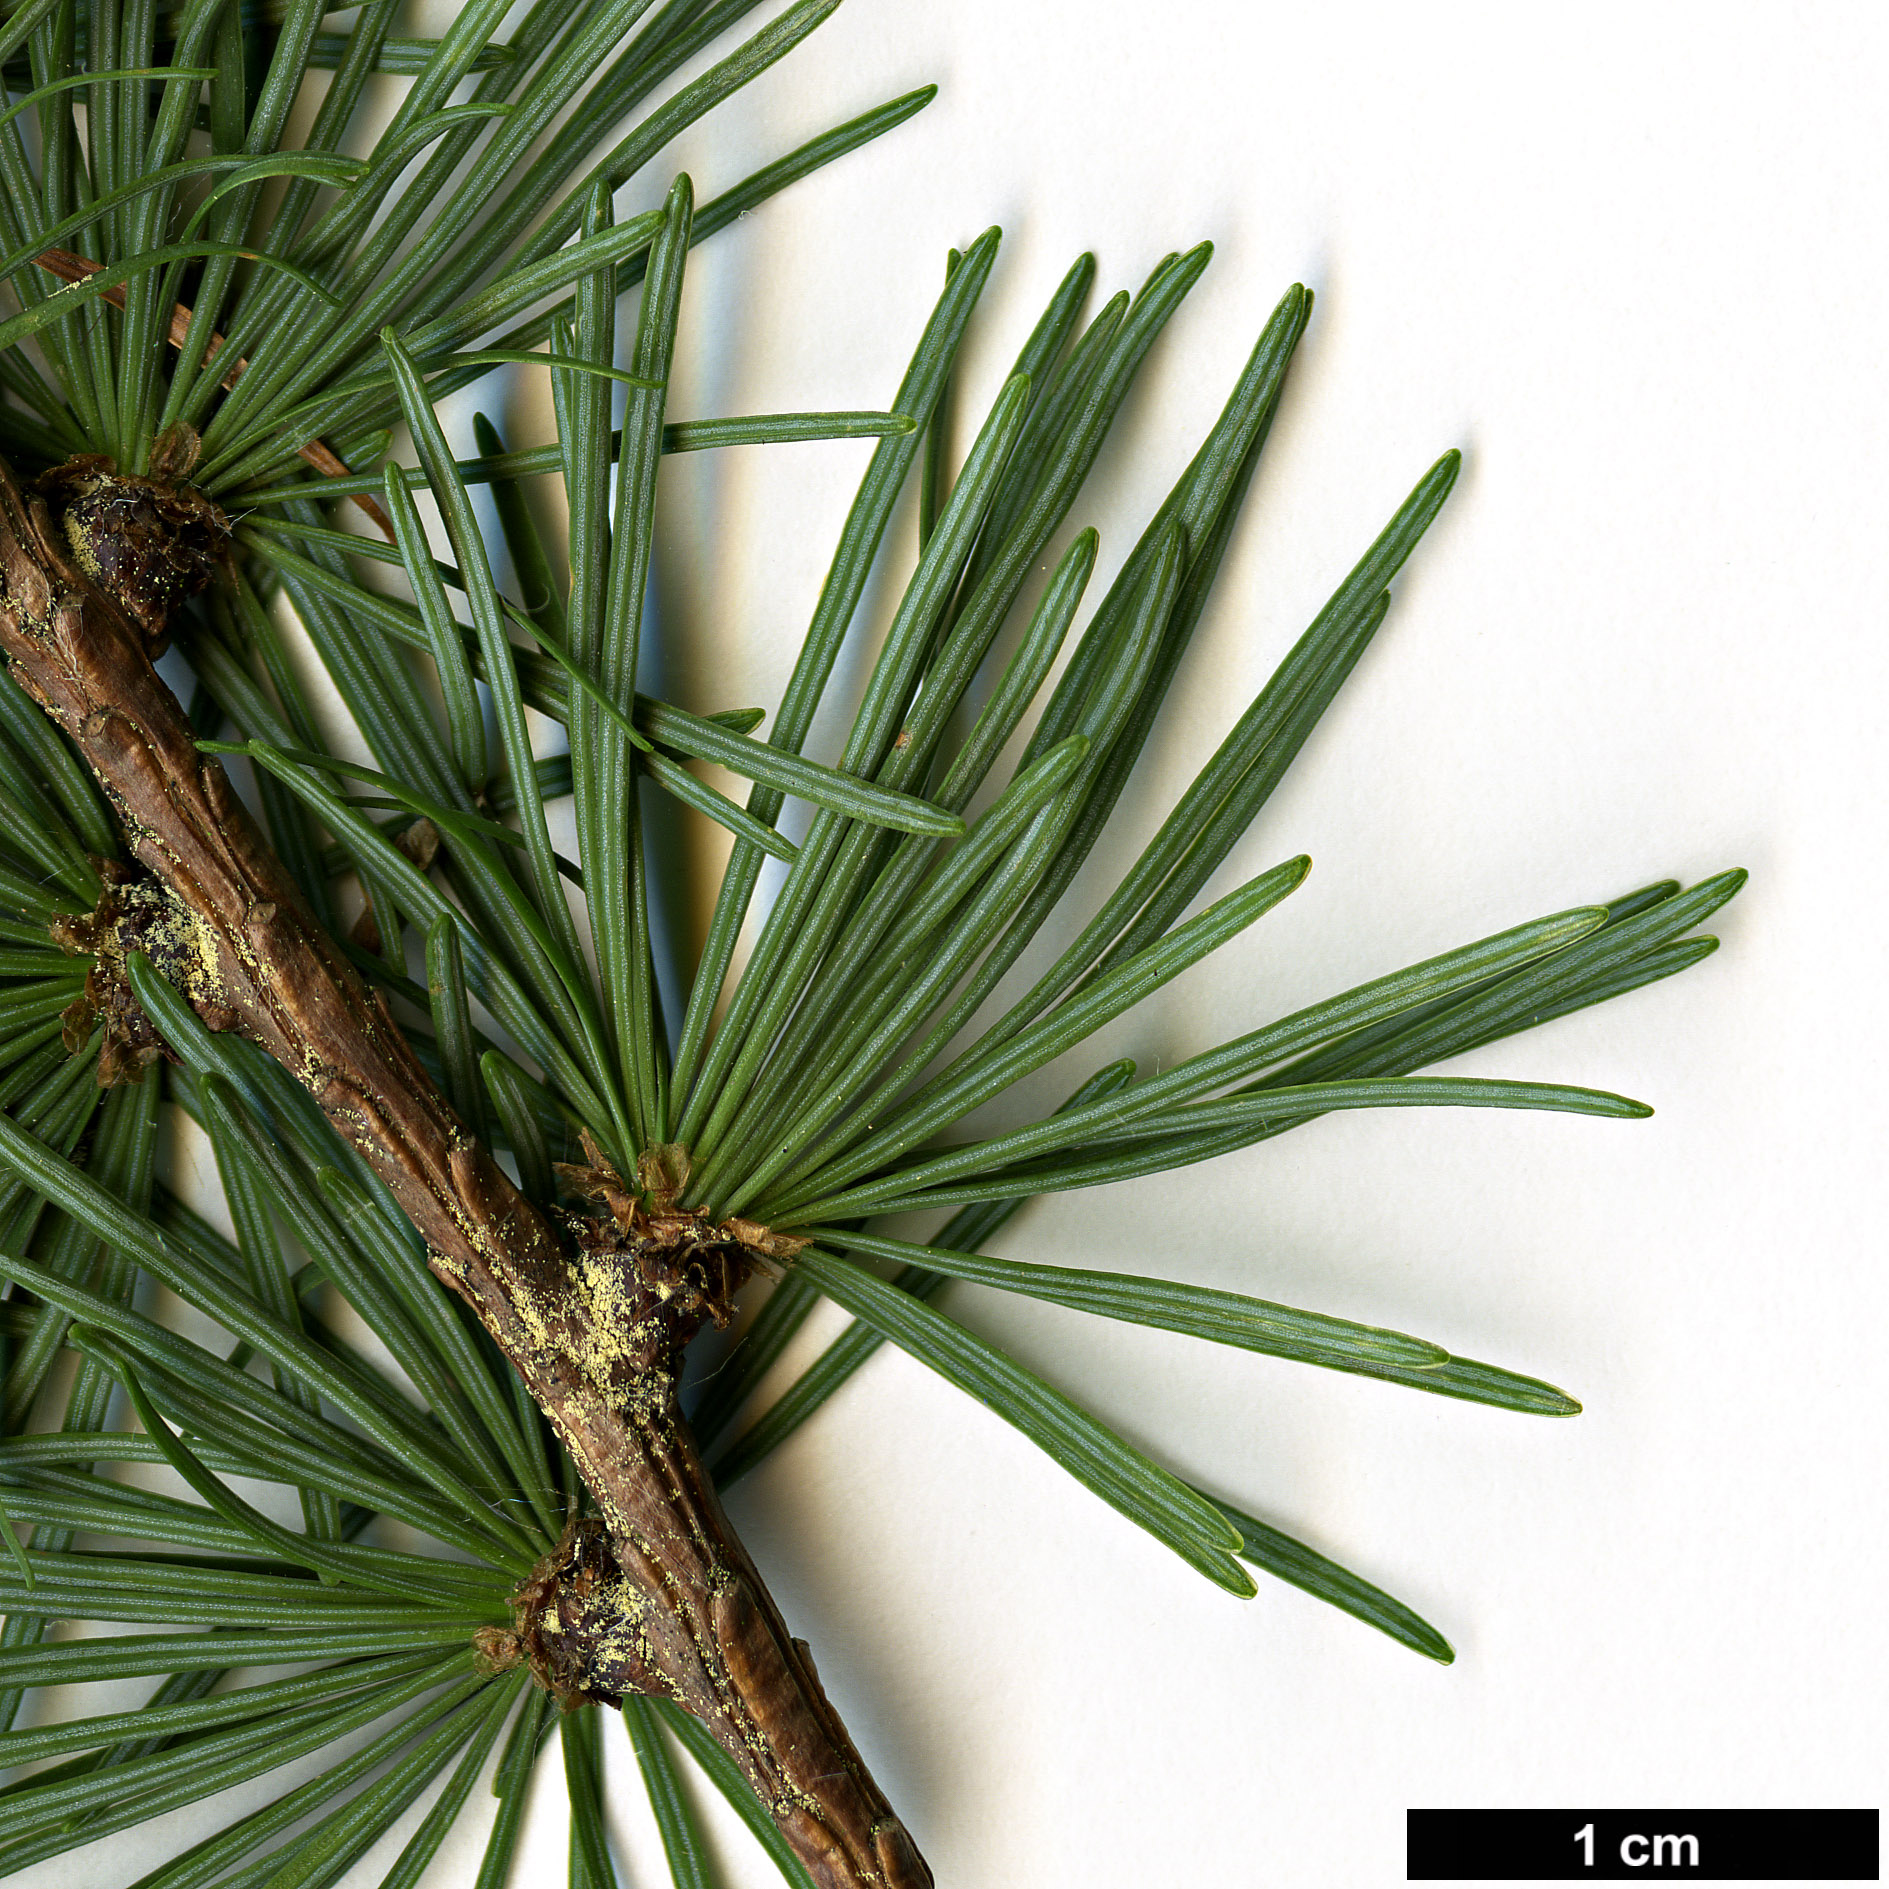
x,y
656,1593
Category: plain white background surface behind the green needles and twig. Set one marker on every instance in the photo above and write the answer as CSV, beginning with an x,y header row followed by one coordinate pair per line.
x,y
1627,260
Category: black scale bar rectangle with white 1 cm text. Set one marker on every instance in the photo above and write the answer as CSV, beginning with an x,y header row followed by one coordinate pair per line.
x,y
1741,1846
